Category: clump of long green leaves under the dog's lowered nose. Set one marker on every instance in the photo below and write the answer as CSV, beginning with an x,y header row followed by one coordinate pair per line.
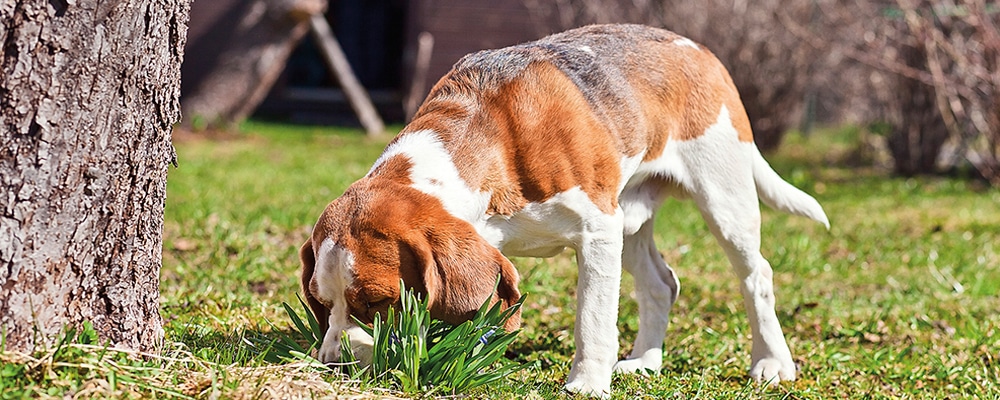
x,y
416,352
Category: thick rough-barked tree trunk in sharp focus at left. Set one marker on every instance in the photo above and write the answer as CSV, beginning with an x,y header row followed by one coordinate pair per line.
x,y
88,96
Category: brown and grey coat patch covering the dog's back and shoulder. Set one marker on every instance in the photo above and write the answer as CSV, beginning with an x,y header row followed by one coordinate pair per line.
x,y
573,107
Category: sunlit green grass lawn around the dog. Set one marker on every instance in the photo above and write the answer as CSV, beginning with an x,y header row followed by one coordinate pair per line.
x,y
900,299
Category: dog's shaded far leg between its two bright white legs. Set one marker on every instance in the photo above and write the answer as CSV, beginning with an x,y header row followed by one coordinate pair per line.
x,y
656,289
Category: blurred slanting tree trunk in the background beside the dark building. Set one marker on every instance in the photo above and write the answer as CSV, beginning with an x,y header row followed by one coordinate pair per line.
x,y
263,40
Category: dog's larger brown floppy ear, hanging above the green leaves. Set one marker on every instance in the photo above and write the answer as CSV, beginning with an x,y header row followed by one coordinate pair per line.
x,y
460,270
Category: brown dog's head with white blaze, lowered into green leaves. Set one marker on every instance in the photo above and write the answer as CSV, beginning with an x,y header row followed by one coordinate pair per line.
x,y
379,232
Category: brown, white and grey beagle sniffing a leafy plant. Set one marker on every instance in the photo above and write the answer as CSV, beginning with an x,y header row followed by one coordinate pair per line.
x,y
572,141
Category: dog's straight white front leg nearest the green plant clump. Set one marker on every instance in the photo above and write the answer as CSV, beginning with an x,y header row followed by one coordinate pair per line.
x,y
599,257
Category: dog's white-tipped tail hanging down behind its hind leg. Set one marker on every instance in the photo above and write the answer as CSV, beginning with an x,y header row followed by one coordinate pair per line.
x,y
781,195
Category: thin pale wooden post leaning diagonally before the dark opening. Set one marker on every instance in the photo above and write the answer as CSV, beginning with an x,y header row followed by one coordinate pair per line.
x,y
337,61
